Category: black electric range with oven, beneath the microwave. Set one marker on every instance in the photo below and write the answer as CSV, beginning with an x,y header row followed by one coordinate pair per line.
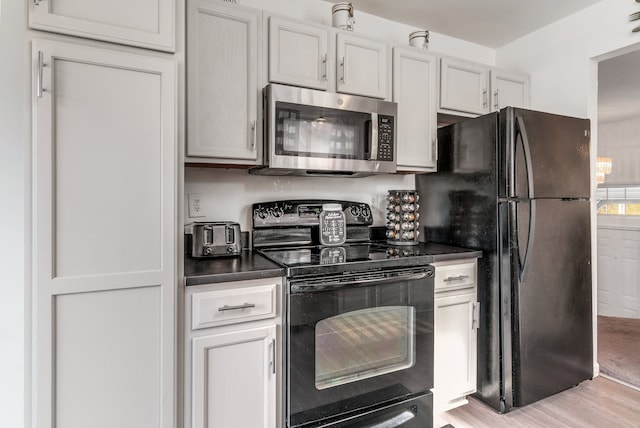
x,y
358,327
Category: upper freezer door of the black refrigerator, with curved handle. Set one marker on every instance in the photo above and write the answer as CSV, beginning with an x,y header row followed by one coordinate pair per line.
x,y
543,155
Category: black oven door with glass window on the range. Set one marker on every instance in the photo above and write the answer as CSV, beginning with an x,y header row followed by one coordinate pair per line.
x,y
357,343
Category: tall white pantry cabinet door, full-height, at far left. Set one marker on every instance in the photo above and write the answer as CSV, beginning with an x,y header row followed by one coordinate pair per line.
x,y
104,186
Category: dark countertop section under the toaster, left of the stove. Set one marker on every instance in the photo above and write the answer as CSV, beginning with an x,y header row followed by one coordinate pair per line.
x,y
248,265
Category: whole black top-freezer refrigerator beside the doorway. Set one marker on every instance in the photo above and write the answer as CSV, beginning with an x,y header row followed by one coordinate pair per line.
x,y
515,185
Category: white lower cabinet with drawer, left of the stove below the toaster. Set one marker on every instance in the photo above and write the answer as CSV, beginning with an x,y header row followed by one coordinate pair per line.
x,y
233,369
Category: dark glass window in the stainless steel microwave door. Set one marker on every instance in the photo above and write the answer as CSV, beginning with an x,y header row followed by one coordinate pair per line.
x,y
308,131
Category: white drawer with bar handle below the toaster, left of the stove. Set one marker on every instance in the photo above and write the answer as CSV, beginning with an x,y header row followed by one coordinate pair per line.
x,y
220,307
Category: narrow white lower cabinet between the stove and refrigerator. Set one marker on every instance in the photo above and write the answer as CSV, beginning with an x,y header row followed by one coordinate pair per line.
x,y
456,323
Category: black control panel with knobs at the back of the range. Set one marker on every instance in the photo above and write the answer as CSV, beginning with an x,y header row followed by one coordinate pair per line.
x,y
307,213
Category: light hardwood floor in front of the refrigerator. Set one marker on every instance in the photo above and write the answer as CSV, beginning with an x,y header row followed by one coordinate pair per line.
x,y
598,403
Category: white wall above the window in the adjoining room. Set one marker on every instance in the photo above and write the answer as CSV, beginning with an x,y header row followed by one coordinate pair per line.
x,y
619,141
